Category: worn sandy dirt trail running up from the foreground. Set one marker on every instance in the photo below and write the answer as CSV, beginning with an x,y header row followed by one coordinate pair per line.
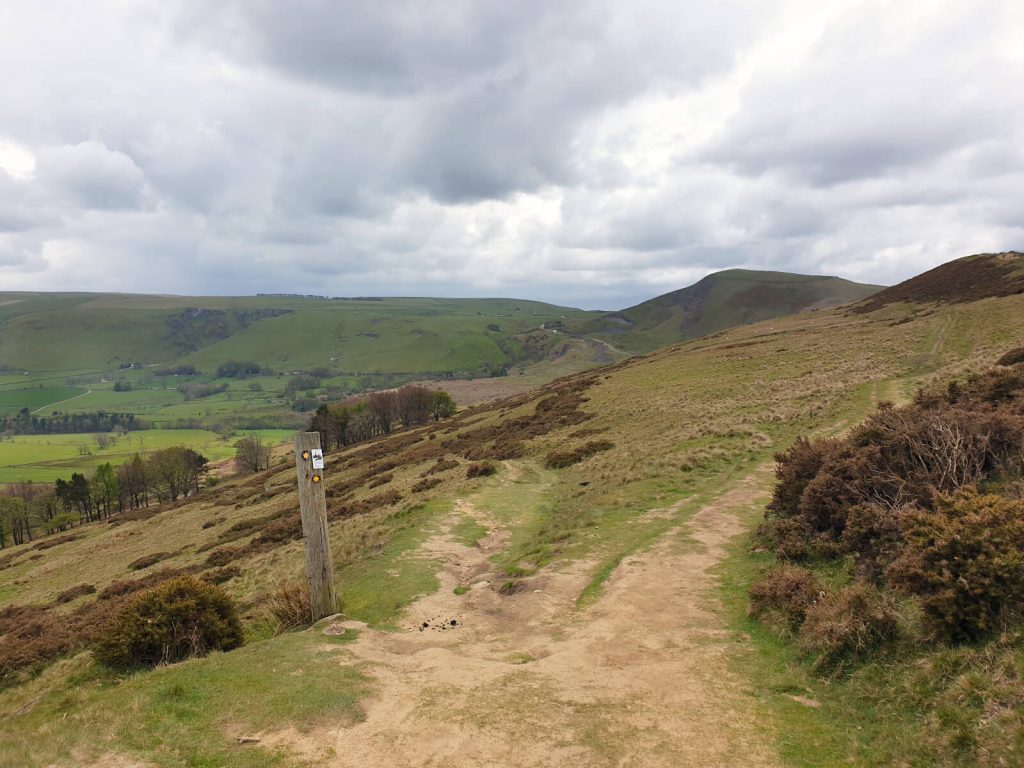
x,y
641,678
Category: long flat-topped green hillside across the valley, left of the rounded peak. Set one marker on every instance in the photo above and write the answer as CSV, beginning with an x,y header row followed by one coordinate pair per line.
x,y
72,332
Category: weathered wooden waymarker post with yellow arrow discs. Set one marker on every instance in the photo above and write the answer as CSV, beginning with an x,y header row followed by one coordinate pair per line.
x,y
313,506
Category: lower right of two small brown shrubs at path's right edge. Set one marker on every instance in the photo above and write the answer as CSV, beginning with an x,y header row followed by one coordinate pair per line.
x,y
846,626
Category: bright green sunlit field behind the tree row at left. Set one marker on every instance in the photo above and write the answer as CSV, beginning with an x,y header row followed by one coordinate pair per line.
x,y
48,458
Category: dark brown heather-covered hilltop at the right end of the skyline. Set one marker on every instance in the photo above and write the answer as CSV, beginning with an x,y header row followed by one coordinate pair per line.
x,y
968,279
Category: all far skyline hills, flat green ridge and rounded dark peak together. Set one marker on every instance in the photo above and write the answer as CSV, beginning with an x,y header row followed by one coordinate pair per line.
x,y
75,332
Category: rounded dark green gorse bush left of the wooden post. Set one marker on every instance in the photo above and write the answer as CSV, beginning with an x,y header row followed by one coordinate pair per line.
x,y
177,620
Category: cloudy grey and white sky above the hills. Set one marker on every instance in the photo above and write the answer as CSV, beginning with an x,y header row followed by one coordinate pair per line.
x,y
588,154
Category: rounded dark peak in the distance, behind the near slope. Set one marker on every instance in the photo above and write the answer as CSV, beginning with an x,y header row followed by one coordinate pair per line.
x,y
721,301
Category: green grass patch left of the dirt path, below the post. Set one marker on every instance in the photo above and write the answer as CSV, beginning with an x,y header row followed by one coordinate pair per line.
x,y
183,715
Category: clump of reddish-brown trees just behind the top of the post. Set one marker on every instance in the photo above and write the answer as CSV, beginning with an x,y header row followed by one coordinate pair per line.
x,y
364,418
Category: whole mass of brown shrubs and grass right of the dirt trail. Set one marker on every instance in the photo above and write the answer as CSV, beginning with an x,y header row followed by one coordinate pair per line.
x,y
902,567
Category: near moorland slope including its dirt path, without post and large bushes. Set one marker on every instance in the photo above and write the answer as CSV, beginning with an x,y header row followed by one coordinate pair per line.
x,y
584,603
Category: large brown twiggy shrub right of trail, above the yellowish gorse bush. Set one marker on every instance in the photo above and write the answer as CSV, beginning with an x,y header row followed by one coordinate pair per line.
x,y
969,436
